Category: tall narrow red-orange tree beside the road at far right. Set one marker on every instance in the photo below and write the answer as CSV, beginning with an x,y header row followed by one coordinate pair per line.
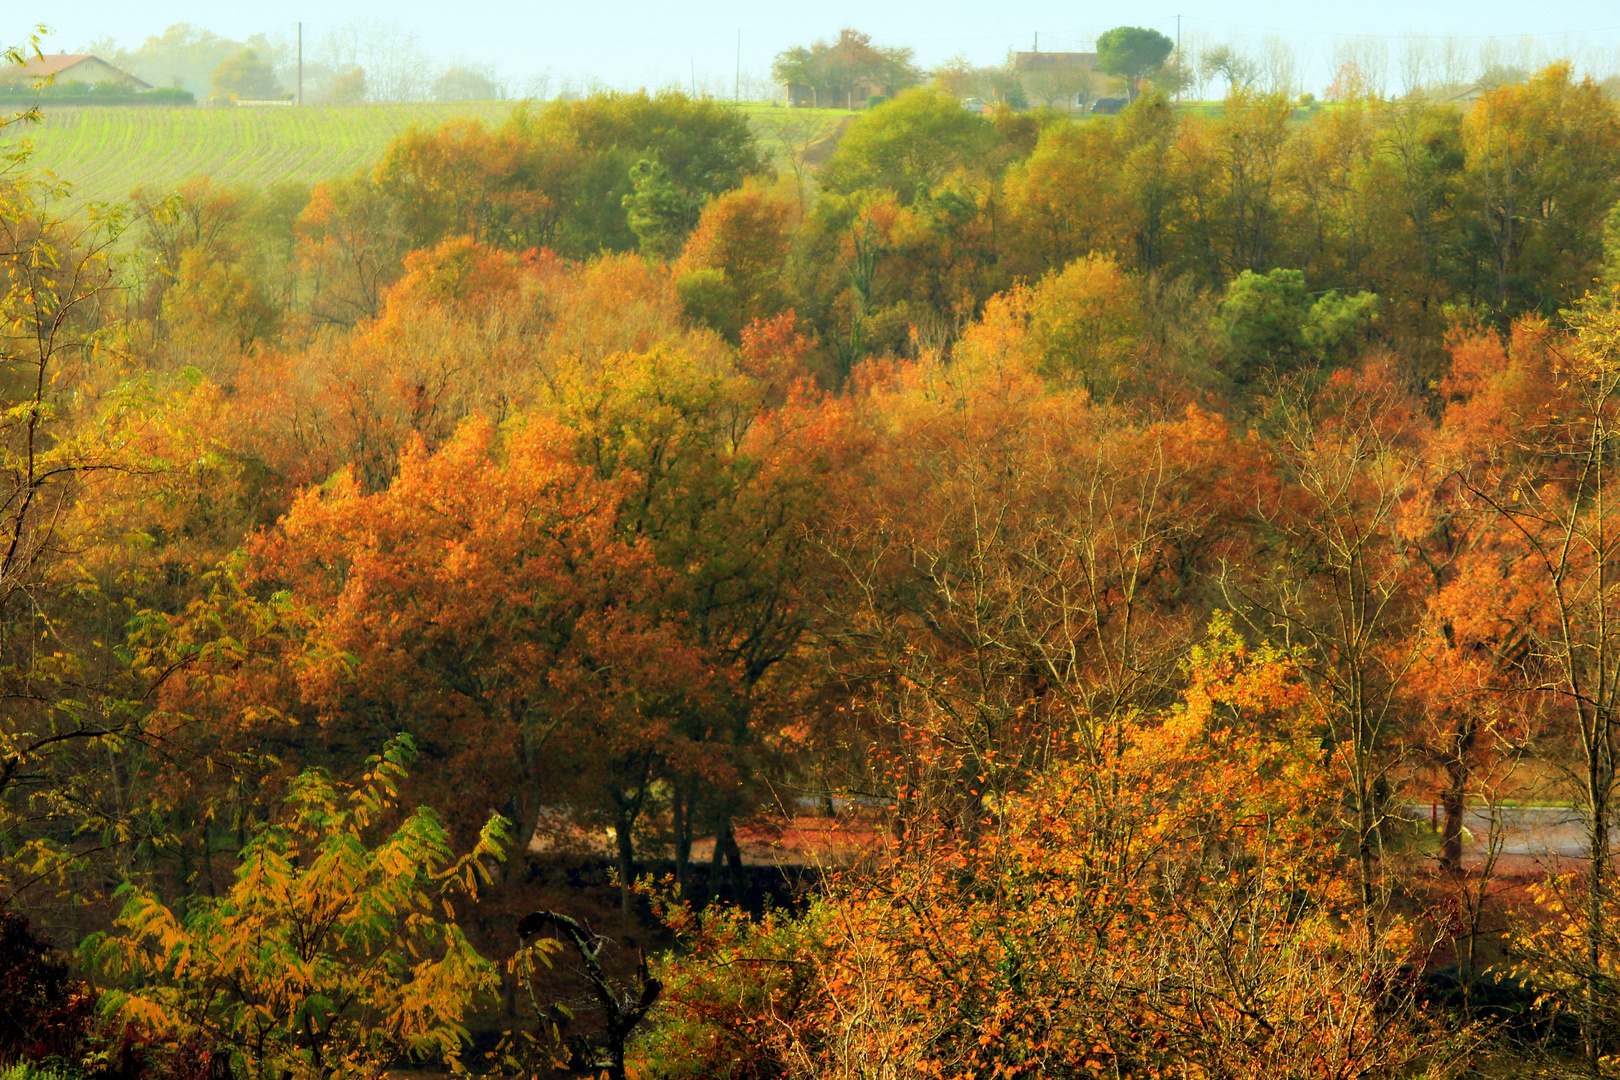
x,y
1498,436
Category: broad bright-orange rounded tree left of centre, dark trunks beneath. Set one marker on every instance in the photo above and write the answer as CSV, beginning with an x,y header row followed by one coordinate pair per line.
x,y
485,603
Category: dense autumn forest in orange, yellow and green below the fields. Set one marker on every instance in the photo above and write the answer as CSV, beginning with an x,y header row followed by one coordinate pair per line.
x,y
1115,527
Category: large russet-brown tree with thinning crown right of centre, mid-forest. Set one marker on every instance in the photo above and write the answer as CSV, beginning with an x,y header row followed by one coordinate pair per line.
x,y
1023,590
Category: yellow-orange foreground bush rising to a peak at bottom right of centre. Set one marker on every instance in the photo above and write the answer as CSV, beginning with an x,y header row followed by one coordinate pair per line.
x,y
1145,914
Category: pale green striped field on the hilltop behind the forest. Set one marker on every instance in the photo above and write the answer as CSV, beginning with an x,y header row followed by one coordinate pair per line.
x,y
108,153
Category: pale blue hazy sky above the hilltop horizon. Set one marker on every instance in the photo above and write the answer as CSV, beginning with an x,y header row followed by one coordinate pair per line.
x,y
636,43
